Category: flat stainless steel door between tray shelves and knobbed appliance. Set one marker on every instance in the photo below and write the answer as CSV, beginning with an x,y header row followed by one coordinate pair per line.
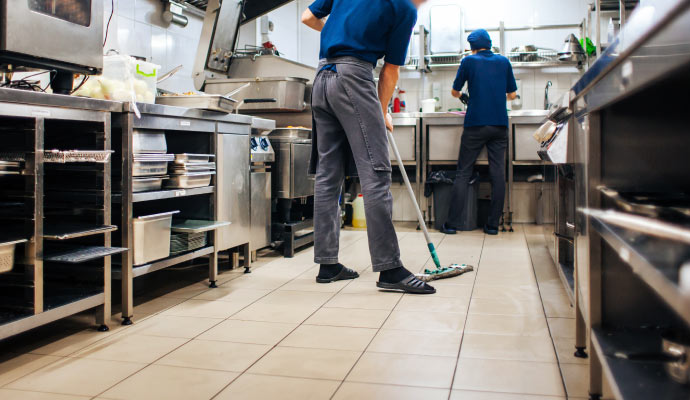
x,y
233,190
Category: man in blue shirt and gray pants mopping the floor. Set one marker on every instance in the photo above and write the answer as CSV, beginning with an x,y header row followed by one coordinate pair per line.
x,y
350,121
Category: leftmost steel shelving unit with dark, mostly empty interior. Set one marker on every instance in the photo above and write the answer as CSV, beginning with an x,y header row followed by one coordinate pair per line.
x,y
63,268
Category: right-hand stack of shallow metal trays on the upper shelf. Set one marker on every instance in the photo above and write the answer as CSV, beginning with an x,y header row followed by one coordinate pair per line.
x,y
191,171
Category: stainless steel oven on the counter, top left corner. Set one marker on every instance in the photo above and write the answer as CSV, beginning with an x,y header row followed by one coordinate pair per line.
x,y
70,38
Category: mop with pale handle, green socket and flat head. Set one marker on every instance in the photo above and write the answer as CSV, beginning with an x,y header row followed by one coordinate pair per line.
x,y
429,274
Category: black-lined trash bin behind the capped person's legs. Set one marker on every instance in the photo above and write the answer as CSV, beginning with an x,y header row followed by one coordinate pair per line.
x,y
440,184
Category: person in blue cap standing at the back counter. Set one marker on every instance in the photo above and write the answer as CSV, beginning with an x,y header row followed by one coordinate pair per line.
x,y
491,83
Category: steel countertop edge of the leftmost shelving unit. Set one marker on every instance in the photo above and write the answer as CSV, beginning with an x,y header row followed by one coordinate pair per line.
x,y
57,100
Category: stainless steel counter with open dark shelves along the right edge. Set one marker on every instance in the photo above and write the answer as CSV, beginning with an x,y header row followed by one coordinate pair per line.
x,y
628,288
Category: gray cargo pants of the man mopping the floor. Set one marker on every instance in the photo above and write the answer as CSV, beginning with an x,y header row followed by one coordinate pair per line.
x,y
347,115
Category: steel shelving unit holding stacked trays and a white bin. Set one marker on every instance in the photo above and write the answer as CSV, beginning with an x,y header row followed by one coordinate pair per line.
x,y
187,131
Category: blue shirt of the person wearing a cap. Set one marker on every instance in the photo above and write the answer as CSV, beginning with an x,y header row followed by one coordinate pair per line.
x,y
489,78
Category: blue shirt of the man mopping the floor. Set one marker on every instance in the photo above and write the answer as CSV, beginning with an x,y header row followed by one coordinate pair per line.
x,y
366,29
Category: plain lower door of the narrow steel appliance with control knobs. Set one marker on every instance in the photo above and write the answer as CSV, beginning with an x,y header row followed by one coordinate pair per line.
x,y
260,210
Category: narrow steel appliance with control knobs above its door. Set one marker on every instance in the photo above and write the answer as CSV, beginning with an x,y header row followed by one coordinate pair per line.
x,y
261,155
